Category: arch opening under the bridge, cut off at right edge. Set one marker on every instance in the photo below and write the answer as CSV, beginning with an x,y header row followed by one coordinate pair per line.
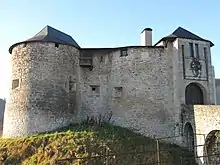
x,y
212,147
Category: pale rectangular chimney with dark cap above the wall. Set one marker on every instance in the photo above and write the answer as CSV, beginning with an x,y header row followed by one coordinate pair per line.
x,y
146,37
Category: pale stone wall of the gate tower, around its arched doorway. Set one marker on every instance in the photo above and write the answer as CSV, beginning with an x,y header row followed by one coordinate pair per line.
x,y
206,86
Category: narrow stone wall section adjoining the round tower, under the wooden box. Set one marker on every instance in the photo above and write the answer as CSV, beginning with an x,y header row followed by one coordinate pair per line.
x,y
96,102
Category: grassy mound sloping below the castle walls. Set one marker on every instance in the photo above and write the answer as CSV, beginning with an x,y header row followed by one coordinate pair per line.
x,y
83,141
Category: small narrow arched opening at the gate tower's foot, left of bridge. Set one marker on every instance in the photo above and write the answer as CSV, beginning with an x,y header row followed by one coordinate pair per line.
x,y
189,136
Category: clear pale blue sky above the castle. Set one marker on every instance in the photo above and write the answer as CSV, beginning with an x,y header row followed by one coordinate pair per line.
x,y
104,23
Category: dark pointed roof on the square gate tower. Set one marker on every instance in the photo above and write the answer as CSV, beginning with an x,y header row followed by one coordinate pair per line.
x,y
183,33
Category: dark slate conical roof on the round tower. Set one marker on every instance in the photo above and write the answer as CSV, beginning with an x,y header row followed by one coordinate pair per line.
x,y
50,34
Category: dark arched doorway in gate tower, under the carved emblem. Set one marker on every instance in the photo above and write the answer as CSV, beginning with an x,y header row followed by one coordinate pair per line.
x,y
193,95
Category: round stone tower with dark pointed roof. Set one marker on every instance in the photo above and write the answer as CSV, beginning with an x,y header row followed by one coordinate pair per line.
x,y
43,94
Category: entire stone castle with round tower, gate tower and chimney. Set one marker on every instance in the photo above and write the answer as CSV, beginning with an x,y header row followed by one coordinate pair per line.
x,y
161,90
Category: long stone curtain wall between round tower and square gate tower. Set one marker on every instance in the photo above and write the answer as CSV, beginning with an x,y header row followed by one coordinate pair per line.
x,y
137,88
